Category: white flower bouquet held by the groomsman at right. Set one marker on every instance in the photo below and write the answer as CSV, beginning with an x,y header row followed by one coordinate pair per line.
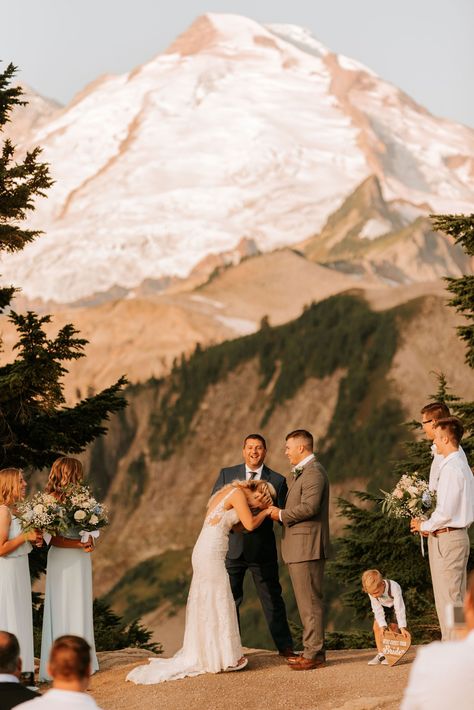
x,y
411,498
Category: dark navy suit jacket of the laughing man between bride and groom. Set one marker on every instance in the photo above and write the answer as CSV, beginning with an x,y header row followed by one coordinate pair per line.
x,y
258,545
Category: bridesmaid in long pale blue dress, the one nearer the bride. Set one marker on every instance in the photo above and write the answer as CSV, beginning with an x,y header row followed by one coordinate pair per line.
x,y
68,596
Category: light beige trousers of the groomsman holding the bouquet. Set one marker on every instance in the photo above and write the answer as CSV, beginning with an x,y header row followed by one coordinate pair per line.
x,y
448,553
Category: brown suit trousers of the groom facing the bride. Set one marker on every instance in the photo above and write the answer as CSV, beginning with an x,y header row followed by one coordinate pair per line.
x,y
307,580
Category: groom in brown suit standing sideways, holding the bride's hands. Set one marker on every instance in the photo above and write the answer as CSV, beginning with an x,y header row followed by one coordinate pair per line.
x,y
305,543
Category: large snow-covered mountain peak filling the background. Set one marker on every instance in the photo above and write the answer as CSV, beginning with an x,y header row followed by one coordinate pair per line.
x,y
238,130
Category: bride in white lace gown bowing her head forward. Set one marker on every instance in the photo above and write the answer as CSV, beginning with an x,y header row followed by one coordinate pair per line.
x,y
211,637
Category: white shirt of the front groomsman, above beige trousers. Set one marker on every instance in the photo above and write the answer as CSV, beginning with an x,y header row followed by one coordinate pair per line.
x,y
455,495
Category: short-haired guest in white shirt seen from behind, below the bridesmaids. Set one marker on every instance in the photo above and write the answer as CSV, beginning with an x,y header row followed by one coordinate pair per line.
x,y
70,668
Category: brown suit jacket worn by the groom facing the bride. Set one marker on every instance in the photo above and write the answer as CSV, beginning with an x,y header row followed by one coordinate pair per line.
x,y
305,516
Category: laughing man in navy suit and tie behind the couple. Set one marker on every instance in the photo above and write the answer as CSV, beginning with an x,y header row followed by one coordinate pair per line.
x,y
256,551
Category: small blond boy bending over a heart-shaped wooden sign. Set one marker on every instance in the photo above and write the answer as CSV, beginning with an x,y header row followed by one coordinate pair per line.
x,y
387,602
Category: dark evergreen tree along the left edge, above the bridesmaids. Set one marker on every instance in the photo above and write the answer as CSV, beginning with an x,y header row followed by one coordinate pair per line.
x,y
35,424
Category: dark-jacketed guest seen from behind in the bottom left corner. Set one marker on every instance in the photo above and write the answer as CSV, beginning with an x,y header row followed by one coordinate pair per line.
x,y
12,693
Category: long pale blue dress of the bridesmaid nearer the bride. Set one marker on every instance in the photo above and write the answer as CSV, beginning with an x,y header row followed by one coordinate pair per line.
x,y
68,600
